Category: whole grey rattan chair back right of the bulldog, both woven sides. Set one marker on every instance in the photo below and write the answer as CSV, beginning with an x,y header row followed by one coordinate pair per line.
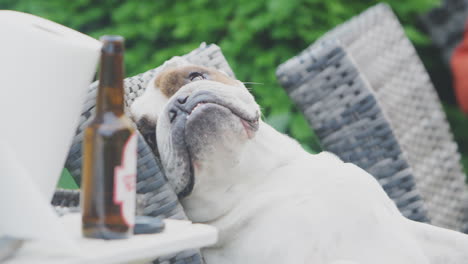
x,y
367,95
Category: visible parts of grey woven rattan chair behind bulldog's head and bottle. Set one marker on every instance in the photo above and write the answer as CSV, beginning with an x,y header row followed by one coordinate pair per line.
x,y
155,196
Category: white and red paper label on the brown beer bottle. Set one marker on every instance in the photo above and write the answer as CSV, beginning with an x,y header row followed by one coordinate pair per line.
x,y
125,181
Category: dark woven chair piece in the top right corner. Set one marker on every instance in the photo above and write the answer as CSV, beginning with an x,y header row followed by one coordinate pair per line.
x,y
445,25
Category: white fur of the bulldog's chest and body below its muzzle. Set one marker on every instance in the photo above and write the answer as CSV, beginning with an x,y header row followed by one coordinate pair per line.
x,y
278,204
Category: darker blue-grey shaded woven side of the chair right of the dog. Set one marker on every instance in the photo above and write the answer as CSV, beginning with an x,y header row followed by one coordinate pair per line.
x,y
326,85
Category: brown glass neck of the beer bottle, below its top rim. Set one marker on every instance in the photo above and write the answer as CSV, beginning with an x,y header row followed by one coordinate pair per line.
x,y
110,96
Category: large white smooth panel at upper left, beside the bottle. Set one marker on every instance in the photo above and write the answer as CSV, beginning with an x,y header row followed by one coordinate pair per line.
x,y
45,70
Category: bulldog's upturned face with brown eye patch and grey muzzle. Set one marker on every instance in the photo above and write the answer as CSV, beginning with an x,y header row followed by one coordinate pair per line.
x,y
202,118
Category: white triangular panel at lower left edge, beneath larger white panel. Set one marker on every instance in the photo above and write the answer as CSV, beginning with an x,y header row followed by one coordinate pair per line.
x,y
25,212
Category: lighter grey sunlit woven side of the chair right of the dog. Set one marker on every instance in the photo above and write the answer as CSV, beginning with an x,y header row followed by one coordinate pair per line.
x,y
386,59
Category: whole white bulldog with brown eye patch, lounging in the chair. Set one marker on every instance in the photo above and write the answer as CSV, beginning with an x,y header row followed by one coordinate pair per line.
x,y
271,201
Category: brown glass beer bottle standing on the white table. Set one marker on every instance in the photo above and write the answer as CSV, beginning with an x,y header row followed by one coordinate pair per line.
x,y
109,154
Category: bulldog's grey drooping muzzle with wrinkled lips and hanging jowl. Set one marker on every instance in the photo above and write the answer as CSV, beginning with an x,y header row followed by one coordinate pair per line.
x,y
194,123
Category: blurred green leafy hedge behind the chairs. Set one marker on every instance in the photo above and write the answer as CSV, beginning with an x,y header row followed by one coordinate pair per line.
x,y
255,36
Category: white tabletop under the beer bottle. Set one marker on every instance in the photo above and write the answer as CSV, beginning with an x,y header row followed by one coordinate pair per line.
x,y
178,235
